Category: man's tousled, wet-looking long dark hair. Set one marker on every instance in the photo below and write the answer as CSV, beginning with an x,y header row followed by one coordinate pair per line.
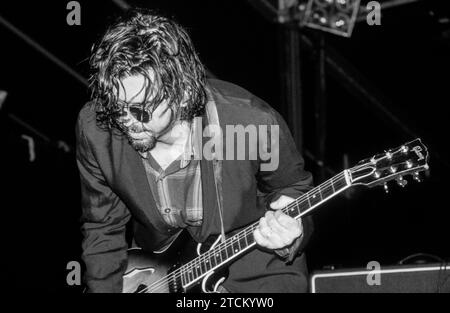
x,y
140,41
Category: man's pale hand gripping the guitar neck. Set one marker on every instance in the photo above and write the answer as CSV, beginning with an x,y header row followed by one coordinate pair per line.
x,y
277,230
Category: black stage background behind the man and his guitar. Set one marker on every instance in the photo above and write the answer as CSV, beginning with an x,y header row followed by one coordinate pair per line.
x,y
406,58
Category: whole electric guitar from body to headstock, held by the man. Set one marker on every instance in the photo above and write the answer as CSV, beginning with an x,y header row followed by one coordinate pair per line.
x,y
155,273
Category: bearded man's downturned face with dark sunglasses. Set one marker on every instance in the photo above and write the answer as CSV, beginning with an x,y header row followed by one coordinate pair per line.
x,y
142,131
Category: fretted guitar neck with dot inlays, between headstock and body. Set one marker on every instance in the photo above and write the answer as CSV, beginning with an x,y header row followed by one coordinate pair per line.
x,y
234,246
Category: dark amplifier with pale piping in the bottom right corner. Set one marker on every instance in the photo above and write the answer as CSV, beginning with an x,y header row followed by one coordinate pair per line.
x,y
423,278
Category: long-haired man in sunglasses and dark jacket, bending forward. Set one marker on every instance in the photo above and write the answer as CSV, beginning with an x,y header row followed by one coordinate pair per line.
x,y
138,143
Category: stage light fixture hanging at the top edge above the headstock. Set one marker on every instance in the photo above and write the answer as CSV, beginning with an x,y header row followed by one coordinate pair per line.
x,y
334,16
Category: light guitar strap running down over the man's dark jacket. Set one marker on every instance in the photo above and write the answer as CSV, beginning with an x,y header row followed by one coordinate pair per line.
x,y
213,119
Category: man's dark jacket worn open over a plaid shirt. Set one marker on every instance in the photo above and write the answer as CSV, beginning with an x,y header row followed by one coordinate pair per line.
x,y
115,188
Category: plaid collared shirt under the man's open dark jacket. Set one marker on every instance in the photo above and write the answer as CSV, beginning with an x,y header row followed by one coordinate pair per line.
x,y
177,190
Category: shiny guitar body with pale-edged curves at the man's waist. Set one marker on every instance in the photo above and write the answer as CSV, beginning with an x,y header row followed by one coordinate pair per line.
x,y
149,269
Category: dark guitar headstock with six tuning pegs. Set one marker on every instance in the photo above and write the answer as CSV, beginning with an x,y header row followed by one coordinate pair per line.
x,y
408,159
